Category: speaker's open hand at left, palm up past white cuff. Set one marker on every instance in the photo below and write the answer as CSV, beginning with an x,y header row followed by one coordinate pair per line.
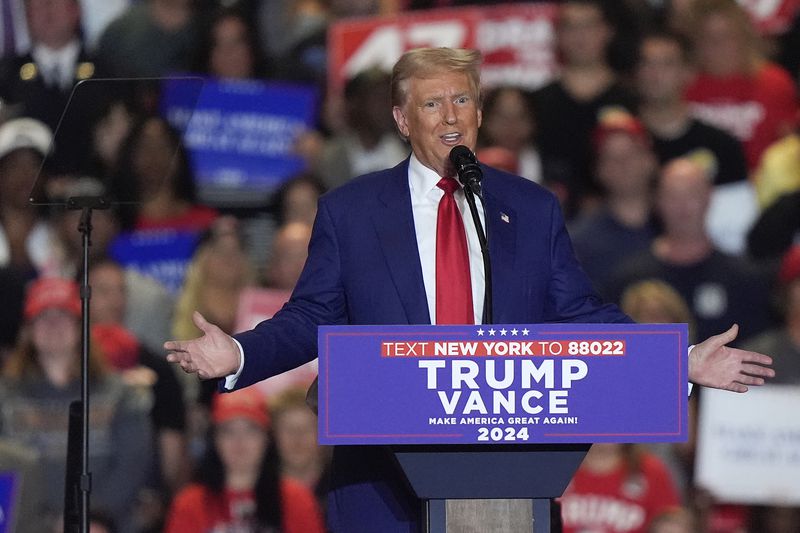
x,y
214,355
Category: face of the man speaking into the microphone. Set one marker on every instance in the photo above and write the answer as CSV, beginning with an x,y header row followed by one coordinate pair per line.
x,y
439,114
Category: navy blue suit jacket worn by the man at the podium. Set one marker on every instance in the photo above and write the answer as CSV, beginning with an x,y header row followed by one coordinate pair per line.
x,y
363,267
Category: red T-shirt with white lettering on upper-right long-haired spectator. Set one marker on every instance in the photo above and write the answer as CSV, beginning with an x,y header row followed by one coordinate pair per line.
x,y
755,109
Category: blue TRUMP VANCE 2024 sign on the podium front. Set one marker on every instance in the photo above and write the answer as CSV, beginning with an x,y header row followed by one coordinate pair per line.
x,y
543,383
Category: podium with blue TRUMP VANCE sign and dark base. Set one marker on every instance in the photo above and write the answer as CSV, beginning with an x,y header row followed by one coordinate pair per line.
x,y
501,412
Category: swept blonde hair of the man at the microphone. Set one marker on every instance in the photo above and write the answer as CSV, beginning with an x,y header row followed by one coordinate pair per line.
x,y
429,62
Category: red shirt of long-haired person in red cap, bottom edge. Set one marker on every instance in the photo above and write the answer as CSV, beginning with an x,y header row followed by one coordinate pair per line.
x,y
197,510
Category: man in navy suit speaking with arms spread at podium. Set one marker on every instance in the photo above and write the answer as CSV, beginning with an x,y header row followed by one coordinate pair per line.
x,y
372,260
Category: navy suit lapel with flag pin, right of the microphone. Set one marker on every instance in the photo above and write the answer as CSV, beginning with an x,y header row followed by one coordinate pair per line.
x,y
502,236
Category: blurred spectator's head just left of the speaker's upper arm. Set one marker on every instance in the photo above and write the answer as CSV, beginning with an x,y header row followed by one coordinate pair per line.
x,y
288,255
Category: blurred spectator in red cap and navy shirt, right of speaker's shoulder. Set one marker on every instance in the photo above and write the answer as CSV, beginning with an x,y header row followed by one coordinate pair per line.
x,y
623,225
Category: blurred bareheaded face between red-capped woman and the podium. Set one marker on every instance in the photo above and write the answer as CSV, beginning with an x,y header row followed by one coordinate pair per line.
x,y
295,430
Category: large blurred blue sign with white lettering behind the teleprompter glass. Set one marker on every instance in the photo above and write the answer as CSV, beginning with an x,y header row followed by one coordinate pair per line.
x,y
240,134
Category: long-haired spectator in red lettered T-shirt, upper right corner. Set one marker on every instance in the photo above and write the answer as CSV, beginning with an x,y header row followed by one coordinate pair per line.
x,y
736,87
